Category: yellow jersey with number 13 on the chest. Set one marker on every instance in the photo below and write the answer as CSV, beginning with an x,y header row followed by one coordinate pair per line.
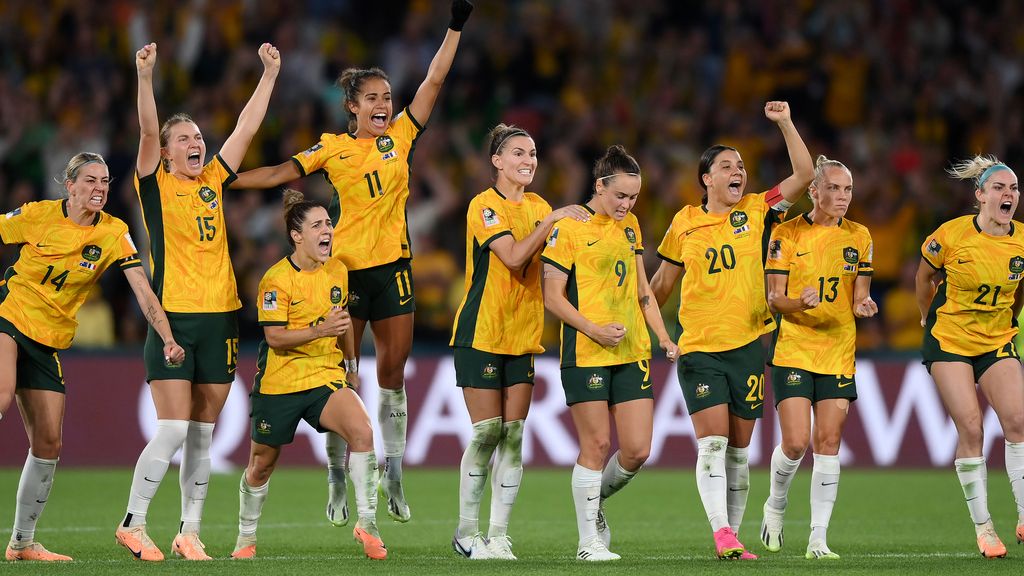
x,y
830,260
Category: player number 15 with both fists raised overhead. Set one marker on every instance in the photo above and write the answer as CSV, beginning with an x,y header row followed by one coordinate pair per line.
x,y
183,207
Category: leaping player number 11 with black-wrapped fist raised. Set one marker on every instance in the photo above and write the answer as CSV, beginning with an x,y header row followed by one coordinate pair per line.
x,y
369,170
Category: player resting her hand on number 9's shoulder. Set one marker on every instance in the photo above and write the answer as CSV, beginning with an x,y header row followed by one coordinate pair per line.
x,y
497,333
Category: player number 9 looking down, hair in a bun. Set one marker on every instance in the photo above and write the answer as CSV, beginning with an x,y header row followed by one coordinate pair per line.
x,y
595,283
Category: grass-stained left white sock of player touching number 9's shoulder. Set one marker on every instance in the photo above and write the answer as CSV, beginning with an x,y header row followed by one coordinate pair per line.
x,y
474,474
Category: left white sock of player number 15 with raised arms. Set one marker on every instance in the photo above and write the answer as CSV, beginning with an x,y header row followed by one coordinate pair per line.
x,y
152,467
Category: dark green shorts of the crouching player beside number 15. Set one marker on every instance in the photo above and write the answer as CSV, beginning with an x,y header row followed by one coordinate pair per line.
x,y
275,418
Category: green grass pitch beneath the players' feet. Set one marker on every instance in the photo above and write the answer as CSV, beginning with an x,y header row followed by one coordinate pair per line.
x,y
885,522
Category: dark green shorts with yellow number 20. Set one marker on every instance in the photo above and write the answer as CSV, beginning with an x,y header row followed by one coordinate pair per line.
x,y
736,378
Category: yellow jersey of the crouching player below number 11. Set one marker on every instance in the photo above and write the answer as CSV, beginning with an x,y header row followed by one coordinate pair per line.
x,y
297,300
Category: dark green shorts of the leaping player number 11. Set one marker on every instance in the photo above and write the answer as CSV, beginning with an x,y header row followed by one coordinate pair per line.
x,y
379,293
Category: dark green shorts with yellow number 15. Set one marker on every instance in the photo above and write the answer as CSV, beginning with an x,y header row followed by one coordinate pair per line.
x,y
211,344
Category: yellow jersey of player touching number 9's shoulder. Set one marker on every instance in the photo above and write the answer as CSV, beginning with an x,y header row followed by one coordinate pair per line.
x,y
503,311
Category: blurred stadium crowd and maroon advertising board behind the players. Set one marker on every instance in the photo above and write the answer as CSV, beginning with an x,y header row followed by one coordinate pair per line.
x,y
894,90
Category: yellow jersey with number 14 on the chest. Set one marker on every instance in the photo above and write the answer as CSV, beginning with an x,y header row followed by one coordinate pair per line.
x,y
57,267
